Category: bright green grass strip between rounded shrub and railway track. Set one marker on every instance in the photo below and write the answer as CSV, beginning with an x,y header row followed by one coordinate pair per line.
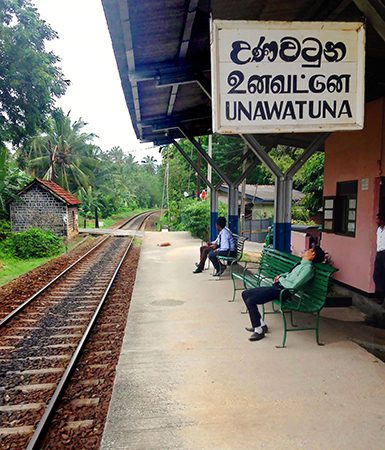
x,y
11,268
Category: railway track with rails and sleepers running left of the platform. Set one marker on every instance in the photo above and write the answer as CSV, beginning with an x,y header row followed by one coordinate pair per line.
x,y
43,339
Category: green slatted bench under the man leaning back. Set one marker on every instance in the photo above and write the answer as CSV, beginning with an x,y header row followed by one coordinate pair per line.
x,y
308,299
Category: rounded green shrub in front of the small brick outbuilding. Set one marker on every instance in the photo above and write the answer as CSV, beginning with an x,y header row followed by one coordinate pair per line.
x,y
33,243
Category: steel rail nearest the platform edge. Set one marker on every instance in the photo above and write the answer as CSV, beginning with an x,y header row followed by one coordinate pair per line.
x,y
51,407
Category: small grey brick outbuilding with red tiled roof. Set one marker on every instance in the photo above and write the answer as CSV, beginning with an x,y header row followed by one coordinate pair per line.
x,y
44,204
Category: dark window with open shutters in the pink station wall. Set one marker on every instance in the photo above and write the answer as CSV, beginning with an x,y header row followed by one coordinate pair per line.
x,y
340,211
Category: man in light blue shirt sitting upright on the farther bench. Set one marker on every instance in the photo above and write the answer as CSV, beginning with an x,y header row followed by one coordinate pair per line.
x,y
223,245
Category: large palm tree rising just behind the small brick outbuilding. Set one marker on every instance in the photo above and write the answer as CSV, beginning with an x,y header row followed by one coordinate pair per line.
x,y
65,155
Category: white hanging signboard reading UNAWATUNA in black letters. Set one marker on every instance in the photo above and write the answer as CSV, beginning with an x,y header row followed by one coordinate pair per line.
x,y
287,76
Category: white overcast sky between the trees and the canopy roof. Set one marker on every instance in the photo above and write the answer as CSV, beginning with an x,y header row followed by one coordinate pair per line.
x,y
88,61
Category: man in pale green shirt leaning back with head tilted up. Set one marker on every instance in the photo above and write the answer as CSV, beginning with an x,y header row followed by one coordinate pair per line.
x,y
297,277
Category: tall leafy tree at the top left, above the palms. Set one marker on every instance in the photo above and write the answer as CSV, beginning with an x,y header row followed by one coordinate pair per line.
x,y
30,79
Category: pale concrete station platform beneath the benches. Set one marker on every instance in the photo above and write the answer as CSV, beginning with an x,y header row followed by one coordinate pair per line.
x,y
188,378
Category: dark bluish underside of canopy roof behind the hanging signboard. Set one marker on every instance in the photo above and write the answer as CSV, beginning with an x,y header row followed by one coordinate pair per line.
x,y
162,49
